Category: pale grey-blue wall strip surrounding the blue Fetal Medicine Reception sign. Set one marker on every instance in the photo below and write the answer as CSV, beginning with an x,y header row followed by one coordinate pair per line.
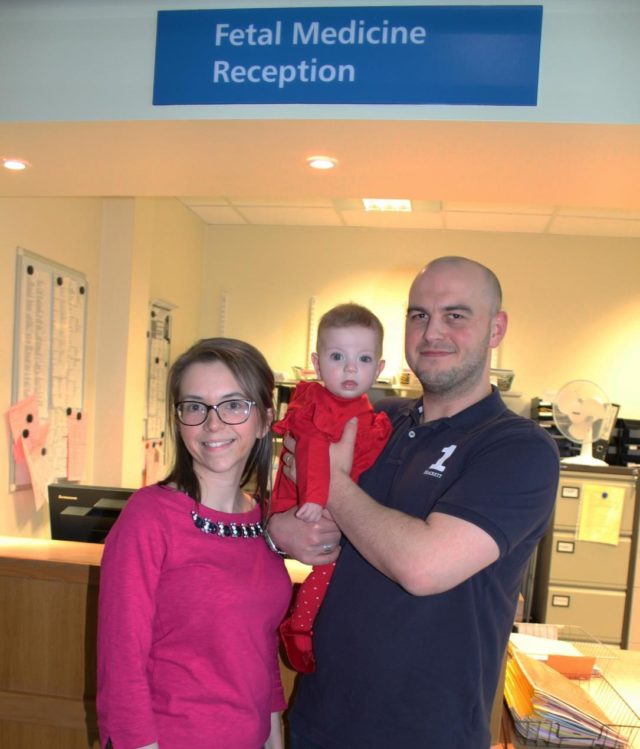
x,y
587,70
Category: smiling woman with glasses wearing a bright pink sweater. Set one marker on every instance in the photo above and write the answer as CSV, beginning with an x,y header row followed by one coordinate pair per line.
x,y
190,595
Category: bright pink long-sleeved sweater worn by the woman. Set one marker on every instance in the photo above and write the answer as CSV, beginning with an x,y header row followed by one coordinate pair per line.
x,y
187,637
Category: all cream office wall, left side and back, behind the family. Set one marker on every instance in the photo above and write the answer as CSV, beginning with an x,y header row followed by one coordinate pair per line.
x,y
574,304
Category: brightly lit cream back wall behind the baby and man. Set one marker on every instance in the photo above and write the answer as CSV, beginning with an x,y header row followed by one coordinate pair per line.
x,y
574,302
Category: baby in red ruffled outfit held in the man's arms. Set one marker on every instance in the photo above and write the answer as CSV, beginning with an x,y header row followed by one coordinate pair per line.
x,y
348,362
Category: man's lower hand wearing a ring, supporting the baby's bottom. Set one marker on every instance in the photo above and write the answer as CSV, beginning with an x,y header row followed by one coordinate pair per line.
x,y
309,543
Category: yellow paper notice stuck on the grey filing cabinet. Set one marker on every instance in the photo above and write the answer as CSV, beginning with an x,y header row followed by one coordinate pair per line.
x,y
601,513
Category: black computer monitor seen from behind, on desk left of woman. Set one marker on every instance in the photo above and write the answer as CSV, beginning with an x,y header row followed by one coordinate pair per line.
x,y
84,513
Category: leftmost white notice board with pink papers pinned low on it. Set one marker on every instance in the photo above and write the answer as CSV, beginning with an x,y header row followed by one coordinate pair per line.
x,y
47,416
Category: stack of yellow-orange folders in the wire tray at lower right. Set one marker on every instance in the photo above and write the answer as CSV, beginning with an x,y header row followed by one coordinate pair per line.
x,y
547,706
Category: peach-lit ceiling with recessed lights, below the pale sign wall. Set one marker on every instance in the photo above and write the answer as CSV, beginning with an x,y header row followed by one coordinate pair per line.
x,y
482,176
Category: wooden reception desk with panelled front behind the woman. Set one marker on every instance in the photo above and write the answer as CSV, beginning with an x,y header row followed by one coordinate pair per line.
x,y
48,622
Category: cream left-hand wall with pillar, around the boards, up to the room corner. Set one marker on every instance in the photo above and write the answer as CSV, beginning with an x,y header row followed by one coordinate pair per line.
x,y
129,250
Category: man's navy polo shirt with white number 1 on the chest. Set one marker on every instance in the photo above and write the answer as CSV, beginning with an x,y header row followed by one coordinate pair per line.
x,y
404,671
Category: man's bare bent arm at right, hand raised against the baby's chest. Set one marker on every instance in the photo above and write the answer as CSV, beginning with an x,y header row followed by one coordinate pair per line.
x,y
424,557
